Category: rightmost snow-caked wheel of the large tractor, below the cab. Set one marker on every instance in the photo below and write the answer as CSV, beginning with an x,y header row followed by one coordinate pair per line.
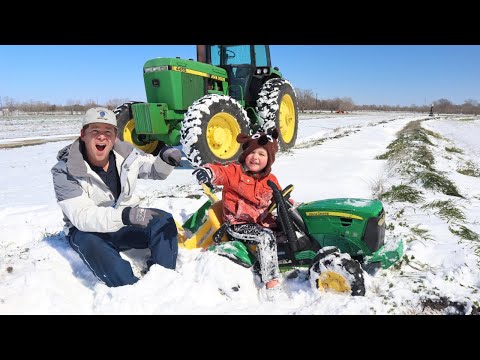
x,y
277,105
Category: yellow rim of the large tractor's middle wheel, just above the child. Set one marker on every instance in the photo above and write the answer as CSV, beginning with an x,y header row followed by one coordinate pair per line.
x,y
222,131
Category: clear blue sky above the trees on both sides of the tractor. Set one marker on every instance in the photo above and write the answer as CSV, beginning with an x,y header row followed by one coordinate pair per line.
x,y
369,74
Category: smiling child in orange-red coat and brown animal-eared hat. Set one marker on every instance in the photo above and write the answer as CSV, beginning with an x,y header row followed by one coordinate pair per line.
x,y
246,198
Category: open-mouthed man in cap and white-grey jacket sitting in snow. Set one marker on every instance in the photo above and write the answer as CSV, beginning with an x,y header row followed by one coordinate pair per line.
x,y
94,181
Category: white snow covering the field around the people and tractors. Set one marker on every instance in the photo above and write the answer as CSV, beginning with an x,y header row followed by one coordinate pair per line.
x,y
334,158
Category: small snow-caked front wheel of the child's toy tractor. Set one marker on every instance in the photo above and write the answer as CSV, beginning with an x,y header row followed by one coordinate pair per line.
x,y
337,272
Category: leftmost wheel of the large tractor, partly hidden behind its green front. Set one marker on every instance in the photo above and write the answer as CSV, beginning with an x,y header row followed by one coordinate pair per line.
x,y
126,130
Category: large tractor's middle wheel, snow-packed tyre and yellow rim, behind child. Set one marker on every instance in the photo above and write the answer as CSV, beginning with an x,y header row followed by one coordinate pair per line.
x,y
210,128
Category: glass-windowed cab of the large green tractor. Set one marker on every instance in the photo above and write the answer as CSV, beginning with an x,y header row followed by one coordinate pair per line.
x,y
247,67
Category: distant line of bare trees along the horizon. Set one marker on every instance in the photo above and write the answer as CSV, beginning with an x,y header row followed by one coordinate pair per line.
x,y
307,101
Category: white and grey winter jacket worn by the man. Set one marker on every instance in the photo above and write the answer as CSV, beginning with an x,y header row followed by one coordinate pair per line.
x,y
86,201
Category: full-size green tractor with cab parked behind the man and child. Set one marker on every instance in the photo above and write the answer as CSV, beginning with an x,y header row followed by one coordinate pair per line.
x,y
203,105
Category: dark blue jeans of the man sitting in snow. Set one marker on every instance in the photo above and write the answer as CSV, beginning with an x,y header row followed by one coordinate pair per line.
x,y
101,251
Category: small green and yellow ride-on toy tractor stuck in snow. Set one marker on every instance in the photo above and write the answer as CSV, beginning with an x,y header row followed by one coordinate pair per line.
x,y
336,240
